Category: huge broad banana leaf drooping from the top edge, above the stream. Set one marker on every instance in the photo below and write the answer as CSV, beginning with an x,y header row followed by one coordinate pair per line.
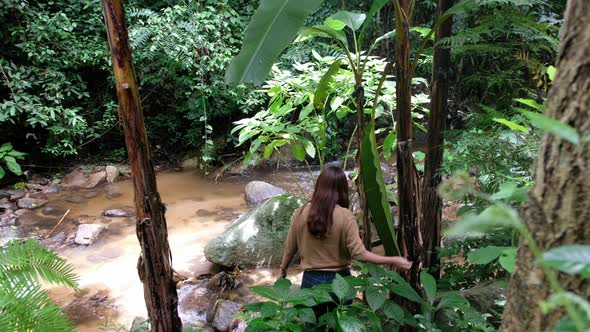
x,y
273,27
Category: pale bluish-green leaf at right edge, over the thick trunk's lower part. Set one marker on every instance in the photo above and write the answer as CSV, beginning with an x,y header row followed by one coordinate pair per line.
x,y
571,259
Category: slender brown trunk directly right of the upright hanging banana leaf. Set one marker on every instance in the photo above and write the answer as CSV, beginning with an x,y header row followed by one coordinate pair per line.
x,y
409,234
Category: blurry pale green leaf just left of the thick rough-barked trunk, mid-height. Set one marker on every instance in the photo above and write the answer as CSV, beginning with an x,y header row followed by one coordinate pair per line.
x,y
489,220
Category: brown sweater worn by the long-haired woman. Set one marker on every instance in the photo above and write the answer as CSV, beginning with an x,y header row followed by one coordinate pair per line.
x,y
335,252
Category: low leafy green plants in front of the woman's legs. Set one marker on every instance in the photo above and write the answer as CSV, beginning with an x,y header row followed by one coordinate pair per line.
x,y
377,313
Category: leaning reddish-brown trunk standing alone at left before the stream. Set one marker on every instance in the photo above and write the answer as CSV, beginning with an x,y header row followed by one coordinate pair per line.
x,y
154,265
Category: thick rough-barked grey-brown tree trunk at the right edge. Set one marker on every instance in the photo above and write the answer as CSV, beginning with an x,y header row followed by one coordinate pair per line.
x,y
559,203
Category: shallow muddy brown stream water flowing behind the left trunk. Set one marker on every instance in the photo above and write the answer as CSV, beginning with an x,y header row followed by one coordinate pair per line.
x,y
198,209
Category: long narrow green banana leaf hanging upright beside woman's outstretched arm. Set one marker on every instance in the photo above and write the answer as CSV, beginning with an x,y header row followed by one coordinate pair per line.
x,y
376,194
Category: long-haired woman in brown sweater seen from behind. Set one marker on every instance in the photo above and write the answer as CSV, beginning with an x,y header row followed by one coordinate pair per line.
x,y
326,235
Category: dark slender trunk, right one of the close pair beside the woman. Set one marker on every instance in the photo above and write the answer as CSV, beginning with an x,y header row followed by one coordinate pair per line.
x,y
432,203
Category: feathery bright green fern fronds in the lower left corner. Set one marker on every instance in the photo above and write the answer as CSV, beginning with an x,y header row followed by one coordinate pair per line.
x,y
24,305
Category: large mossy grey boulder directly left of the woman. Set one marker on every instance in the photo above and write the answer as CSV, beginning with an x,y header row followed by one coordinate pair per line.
x,y
258,237
